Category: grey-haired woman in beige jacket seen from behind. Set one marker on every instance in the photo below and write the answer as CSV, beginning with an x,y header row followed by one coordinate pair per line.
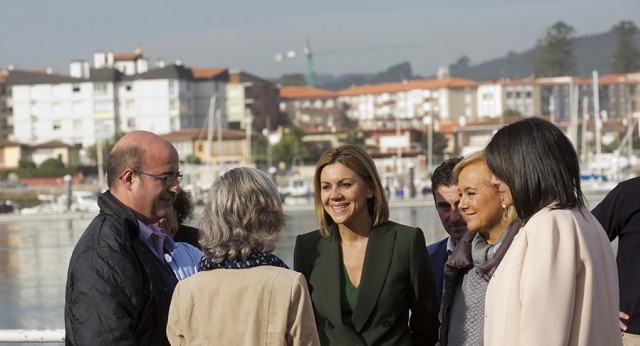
x,y
242,294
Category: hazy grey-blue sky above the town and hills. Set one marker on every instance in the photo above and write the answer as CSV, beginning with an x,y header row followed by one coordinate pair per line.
x,y
345,35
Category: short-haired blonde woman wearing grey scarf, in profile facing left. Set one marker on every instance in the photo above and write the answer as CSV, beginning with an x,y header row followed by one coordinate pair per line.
x,y
491,228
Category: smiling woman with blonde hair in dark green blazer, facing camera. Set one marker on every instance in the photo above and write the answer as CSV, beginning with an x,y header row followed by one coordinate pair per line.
x,y
370,279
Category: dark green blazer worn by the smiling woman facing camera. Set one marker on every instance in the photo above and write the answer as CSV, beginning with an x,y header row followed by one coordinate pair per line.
x,y
396,278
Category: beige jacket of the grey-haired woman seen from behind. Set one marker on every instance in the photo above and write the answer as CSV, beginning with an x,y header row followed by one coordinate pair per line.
x,y
262,305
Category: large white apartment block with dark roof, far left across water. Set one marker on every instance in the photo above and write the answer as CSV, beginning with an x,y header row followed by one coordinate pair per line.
x,y
121,95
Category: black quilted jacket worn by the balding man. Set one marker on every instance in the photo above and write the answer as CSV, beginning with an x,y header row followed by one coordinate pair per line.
x,y
118,292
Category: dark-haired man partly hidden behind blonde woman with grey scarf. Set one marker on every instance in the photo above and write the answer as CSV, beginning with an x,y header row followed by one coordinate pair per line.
x,y
444,186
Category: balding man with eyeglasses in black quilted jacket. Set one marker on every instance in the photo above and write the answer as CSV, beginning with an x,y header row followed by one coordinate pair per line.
x,y
119,286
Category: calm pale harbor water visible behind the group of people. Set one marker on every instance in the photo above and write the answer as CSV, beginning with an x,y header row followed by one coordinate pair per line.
x,y
35,252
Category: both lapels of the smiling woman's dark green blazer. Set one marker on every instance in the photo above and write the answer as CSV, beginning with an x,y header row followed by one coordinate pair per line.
x,y
376,265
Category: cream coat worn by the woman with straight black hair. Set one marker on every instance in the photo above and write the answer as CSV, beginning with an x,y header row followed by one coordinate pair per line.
x,y
557,285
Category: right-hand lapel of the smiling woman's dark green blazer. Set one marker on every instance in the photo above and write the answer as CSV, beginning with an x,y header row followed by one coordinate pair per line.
x,y
377,261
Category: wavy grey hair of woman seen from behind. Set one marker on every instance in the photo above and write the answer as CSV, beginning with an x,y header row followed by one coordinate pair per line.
x,y
243,214
